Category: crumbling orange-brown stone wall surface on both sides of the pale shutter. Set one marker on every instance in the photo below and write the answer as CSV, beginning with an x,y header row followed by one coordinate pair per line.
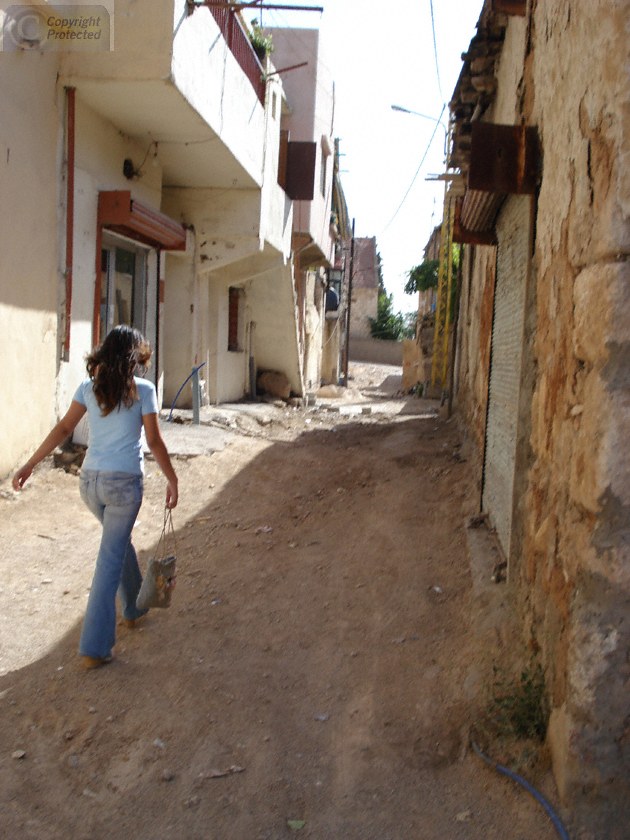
x,y
564,69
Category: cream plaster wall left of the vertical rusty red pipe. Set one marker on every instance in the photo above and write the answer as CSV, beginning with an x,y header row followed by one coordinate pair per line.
x,y
30,143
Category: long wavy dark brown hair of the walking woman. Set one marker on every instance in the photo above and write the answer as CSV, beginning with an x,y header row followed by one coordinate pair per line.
x,y
112,366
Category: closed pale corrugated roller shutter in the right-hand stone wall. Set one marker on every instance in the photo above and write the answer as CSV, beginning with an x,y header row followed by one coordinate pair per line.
x,y
505,366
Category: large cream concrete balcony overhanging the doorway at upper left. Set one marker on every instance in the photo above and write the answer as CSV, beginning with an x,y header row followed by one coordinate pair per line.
x,y
196,87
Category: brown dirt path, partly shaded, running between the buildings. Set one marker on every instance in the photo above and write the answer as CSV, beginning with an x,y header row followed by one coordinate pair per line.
x,y
317,665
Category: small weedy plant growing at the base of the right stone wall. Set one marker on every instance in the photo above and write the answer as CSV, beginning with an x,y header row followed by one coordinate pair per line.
x,y
520,707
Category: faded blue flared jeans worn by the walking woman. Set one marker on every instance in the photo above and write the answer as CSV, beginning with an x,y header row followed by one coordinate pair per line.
x,y
115,499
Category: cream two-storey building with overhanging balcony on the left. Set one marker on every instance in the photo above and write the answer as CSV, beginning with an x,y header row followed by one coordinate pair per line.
x,y
143,187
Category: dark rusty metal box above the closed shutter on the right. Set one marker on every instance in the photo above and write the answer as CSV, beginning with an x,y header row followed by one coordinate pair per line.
x,y
503,159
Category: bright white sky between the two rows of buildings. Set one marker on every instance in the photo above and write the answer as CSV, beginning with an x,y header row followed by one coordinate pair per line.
x,y
382,54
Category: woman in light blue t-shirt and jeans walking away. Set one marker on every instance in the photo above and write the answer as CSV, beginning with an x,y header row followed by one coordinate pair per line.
x,y
119,404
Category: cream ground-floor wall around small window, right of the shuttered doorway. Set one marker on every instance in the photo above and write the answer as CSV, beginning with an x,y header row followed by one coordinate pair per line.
x,y
228,252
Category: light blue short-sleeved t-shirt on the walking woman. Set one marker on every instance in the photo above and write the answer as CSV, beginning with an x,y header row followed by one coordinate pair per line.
x,y
115,440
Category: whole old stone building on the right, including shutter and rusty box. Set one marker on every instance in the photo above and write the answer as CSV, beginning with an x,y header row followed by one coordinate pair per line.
x,y
541,130
